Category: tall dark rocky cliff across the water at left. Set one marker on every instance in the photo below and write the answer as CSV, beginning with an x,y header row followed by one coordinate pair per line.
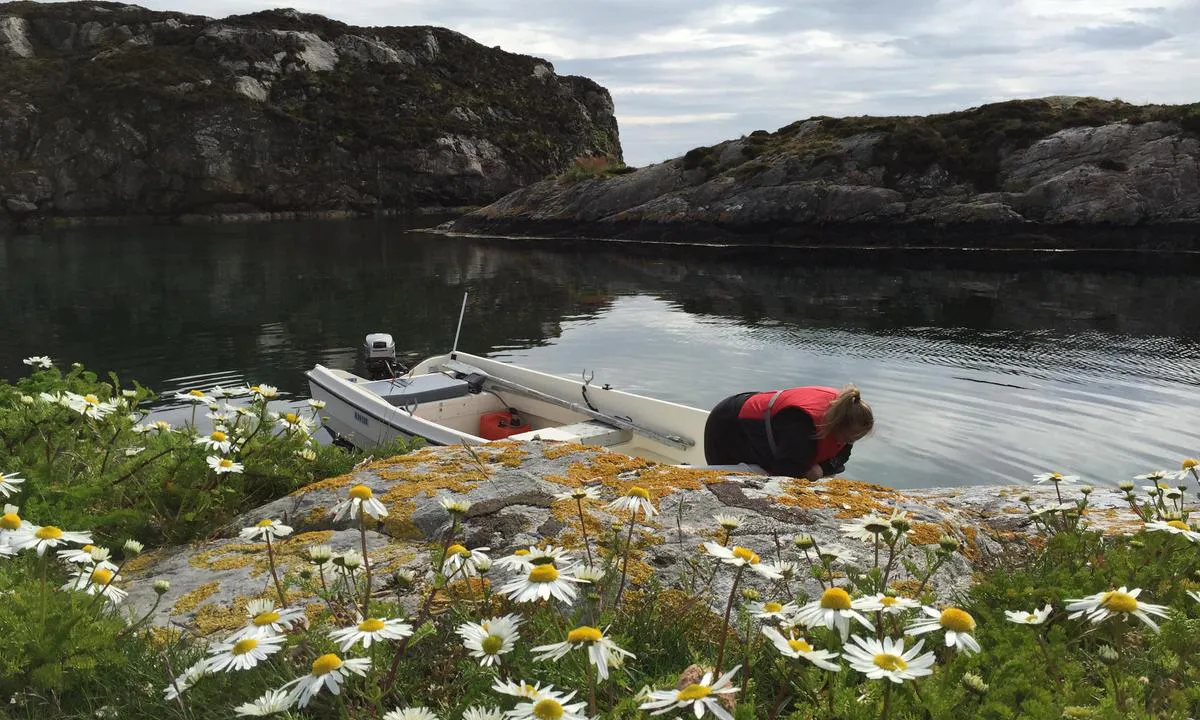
x,y
115,111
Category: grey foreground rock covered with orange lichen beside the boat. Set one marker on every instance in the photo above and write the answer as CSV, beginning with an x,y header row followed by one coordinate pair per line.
x,y
513,489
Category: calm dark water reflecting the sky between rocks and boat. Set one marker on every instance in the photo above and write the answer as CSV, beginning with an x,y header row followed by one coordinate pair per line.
x,y
976,377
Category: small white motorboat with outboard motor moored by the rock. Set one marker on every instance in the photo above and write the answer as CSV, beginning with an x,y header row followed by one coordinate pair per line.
x,y
459,398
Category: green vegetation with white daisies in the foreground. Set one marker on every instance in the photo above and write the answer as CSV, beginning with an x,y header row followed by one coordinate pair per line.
x,y
1067,625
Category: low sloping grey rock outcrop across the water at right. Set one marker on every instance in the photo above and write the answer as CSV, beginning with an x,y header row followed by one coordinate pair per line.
x,y
1040,173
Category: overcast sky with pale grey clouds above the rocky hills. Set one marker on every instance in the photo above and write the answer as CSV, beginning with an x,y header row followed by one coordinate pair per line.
x,y
695,73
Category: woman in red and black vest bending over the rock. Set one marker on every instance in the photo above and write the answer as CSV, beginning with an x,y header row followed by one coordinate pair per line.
x,y
801,433
